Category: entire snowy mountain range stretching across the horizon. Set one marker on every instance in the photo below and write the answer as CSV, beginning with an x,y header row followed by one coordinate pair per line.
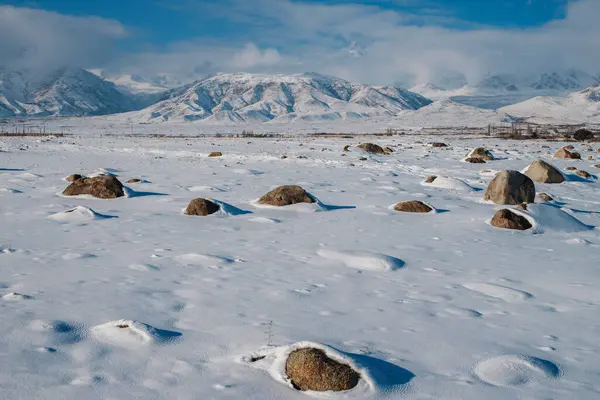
x,y
571,96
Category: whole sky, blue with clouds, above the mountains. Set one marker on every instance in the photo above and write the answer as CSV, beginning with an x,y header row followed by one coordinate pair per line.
x,y
397,40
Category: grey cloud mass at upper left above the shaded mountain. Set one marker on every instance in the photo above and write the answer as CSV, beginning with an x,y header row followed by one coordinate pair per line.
x,y
31,38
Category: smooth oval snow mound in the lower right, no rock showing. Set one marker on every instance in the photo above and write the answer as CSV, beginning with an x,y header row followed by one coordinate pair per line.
x,y
515,370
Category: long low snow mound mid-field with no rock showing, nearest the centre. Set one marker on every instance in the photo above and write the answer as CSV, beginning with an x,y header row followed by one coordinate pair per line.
x,y
363,260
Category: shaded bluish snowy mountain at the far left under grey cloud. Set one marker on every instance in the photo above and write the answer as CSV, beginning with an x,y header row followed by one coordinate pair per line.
x,y
65,92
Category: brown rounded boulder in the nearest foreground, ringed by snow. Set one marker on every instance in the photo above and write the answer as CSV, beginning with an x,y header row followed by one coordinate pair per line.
x,y
311,369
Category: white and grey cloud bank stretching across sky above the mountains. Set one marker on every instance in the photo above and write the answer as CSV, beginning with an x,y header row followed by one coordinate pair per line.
x,y
284,36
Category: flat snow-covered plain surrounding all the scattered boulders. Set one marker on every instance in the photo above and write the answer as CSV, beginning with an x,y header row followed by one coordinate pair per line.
x,y
128,298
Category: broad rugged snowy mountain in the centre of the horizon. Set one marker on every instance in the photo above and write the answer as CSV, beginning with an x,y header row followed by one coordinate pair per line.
x,y
262,98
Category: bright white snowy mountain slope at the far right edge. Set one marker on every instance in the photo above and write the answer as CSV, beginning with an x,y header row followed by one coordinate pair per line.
x,y
583,106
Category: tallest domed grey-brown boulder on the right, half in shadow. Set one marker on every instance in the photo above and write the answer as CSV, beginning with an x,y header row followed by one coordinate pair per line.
x,y
510,187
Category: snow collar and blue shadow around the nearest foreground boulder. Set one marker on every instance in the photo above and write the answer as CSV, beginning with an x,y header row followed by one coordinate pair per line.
x,y
377,376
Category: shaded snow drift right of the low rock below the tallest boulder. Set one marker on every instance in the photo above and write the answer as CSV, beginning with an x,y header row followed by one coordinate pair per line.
x,y
547,217
